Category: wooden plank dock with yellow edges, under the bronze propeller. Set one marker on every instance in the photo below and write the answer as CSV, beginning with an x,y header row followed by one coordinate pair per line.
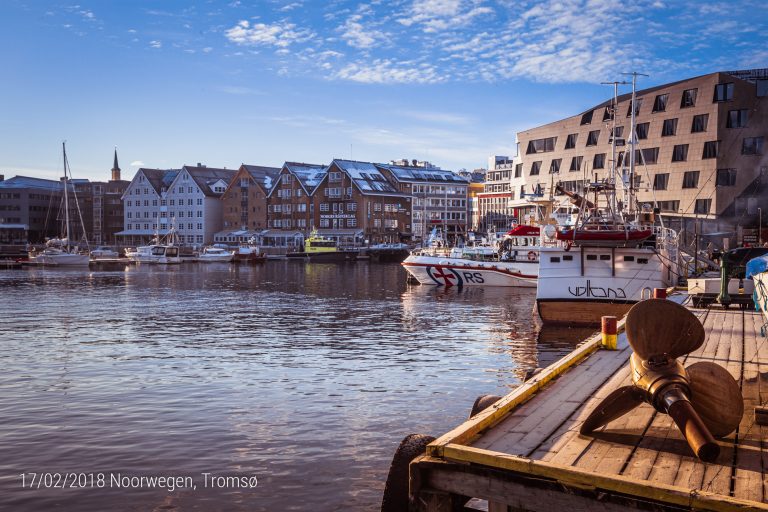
x,y
525,452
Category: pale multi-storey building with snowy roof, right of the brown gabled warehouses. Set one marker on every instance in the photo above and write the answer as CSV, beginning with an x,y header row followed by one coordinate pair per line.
x,y
438,198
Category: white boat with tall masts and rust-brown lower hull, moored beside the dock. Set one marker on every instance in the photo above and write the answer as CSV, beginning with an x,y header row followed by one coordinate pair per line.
x,y
609,259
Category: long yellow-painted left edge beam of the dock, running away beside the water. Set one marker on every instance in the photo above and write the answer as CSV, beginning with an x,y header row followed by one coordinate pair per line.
x,y
495,413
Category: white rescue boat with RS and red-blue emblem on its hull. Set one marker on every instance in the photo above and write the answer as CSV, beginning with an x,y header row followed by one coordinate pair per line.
x,y
512,261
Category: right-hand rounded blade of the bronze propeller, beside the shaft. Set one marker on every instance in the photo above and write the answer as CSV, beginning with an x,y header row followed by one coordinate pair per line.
x,y
716,397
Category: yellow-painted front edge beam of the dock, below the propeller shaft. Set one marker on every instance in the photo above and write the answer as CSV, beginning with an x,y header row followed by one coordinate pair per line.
x,y
575,477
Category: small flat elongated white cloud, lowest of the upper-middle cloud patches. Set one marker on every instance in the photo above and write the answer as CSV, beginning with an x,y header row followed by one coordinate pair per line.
x,y
384,71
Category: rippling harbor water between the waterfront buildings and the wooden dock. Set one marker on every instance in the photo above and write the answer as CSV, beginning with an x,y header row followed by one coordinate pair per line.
x,y
284,386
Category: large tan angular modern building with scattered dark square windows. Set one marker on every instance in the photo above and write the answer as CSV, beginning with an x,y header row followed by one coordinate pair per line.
x,y
700,156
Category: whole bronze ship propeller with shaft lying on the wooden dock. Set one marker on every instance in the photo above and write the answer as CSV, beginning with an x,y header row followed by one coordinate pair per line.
x,y
703,399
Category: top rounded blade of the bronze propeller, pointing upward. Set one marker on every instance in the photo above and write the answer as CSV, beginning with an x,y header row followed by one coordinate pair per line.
x,y
660,326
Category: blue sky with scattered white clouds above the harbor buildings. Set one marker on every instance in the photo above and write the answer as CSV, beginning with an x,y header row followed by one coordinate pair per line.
x,y
223,83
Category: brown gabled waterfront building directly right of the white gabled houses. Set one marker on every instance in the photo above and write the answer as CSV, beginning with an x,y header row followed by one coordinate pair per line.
x,y
244,203
